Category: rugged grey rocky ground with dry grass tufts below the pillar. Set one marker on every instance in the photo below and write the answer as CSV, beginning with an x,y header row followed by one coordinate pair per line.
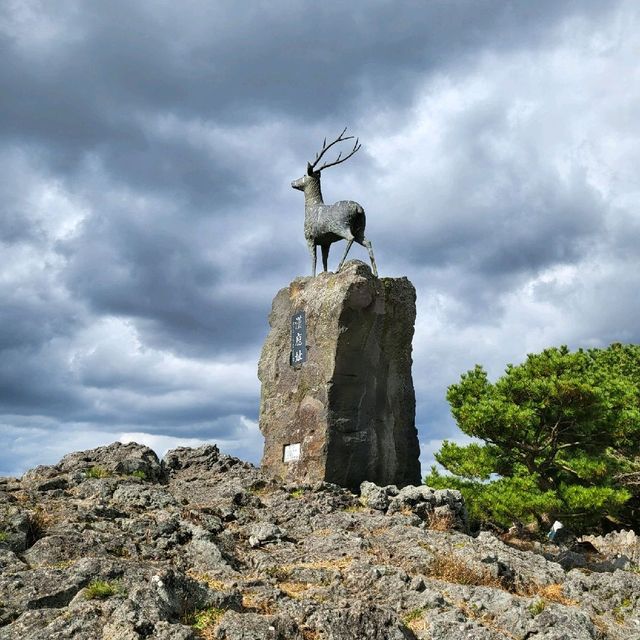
x,y
113,544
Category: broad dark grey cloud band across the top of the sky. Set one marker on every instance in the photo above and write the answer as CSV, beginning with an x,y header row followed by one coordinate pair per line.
x,y
109,65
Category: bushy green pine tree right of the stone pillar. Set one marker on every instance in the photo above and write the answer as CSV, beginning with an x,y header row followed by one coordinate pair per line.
x,y
558,438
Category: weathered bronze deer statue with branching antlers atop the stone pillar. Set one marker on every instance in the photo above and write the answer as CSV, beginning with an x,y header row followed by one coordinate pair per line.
x,y
328,223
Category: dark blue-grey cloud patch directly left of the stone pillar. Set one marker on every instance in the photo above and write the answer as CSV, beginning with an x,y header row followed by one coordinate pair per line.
x,y
147,267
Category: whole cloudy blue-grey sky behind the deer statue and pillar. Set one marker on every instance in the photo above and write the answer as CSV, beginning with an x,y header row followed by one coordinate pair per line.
x,y
147,219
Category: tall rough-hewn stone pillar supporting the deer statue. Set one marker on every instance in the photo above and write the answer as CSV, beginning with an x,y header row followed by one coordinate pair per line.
x,y
347,413
